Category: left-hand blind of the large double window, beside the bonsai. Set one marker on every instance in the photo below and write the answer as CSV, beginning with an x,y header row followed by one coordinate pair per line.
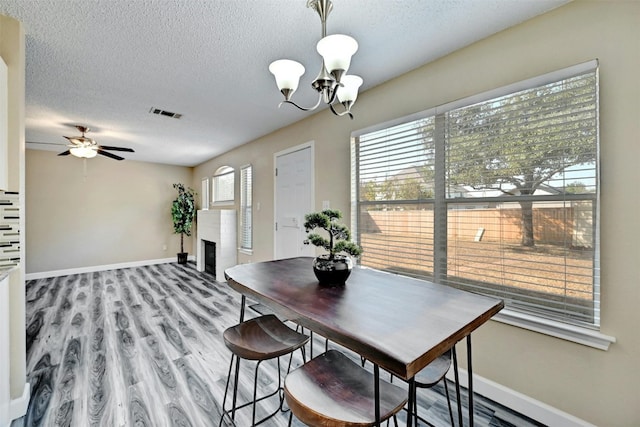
x,y
395,172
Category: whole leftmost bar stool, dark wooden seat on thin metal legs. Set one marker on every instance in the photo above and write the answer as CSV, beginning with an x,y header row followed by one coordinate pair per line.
x,y
259,339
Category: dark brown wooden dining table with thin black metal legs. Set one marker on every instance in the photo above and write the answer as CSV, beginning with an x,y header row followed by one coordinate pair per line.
x,y
398,323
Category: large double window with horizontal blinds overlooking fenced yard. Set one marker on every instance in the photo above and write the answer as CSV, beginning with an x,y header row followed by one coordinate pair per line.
x,y
497,194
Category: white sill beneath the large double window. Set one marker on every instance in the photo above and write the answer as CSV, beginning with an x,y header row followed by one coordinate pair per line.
x,y
563,331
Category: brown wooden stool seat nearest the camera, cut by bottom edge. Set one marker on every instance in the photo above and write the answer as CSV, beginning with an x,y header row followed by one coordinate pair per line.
x,y
332,390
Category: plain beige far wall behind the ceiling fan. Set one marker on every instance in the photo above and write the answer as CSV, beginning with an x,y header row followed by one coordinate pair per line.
x,y
119,212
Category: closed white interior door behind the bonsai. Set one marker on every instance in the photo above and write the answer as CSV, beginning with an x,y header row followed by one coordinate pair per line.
x,y
294,197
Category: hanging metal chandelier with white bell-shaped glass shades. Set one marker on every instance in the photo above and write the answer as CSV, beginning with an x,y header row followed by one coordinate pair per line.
x,y
332,82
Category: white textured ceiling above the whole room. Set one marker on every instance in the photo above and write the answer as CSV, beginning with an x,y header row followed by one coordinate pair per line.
x,y
106,63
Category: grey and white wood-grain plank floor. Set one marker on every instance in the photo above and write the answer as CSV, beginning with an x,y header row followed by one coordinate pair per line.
x,y
143,347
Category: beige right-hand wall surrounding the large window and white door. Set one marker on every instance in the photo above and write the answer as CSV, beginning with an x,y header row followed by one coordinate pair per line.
x,y
597,386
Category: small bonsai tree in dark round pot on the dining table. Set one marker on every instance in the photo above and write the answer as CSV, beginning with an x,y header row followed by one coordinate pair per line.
x,y
332,268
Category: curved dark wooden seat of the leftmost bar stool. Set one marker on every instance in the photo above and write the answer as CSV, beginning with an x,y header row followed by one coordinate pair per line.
x,y
263,338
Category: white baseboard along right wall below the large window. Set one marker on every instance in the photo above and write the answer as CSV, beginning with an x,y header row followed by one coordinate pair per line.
x,y
532,408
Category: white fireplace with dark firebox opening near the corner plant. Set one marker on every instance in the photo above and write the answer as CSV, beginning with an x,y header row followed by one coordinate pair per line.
x,y
217,226
